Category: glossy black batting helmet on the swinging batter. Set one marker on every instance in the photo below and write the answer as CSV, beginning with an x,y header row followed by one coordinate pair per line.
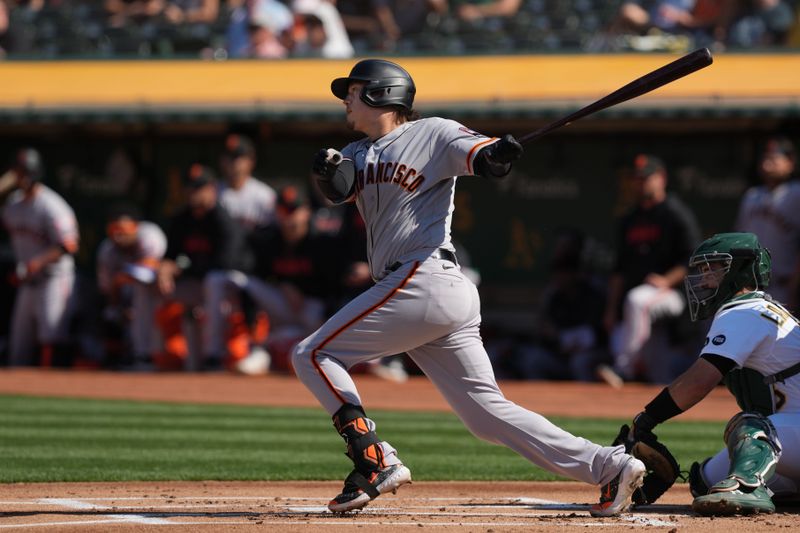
x,y
386,84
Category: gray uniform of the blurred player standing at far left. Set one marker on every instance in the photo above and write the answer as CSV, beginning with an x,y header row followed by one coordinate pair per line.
x,y
41,309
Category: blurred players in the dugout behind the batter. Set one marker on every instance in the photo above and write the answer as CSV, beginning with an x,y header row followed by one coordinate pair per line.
x,y
242,270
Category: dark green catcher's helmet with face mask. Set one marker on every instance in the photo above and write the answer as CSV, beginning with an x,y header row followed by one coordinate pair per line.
x,y
720,267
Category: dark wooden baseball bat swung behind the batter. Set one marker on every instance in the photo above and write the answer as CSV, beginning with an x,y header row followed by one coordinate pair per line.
x,y
691,62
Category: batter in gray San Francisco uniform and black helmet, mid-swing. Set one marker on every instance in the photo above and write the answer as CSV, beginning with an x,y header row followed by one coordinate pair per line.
x,y
402,177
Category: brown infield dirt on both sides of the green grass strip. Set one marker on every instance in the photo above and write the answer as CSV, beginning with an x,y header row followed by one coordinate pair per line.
x,y
301,506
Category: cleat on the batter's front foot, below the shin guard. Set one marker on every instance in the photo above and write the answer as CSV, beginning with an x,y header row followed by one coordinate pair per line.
x,y
359,490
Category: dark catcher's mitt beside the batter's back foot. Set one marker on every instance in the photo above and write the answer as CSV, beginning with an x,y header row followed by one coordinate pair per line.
x,y
662,468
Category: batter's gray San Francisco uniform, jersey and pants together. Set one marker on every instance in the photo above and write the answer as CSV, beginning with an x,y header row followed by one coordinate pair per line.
x,y
424,305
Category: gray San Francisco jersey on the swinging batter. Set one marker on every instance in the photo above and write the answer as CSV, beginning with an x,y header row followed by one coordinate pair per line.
x,y
405,183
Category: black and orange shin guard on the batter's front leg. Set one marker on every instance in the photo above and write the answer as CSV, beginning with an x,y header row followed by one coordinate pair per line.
x,y
358,432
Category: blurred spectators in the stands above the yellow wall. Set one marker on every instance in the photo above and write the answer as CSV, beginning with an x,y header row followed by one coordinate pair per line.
x,y
222,29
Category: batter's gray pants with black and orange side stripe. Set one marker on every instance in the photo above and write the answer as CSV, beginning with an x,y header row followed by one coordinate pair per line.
x,y
430,310
